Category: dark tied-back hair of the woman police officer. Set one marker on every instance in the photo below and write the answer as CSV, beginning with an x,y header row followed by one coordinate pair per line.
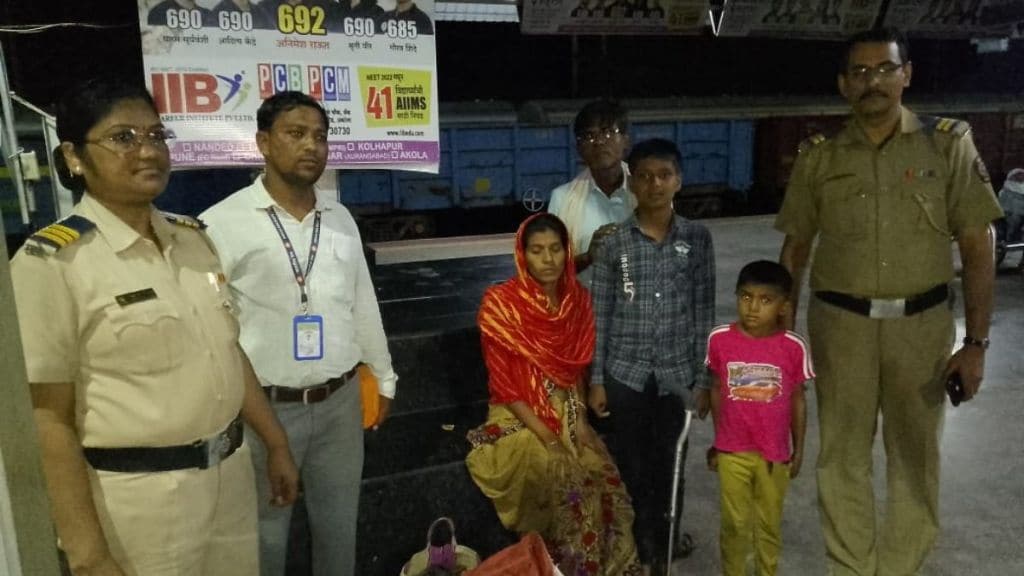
x,y
84,106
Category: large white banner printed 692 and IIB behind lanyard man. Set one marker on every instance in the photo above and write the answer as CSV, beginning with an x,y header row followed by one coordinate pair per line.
x,y
372,65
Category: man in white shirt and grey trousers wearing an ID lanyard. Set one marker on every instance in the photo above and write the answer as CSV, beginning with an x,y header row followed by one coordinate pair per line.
x,y
309,317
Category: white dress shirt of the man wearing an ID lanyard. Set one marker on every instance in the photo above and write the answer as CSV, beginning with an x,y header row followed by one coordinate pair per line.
x,y
268,297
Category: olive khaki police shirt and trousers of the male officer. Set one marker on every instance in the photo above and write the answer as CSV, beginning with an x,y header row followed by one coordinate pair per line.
x,y
884,219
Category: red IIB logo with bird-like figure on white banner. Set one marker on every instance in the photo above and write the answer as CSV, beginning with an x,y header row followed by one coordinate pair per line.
x,y
195,93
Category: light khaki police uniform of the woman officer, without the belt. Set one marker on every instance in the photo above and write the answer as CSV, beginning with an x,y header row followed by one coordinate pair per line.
x,y
150,342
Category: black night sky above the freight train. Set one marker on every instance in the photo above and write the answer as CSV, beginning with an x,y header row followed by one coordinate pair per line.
x,y
494,62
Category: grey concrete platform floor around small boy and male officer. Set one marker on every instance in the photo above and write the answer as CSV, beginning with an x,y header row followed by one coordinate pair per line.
x,y
983,491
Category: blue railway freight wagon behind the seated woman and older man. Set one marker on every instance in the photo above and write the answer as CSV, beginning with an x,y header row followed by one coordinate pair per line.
x,y
489,167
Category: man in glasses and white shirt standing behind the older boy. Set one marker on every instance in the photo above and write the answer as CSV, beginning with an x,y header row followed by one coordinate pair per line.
x,y
600,198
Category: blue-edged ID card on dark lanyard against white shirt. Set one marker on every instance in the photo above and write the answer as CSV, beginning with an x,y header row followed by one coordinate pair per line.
x,y
308,330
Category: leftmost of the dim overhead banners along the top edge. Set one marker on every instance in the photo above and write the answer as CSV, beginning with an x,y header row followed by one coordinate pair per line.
x,y
614,17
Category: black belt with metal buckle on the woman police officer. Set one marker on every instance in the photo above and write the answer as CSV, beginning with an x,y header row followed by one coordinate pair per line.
x,y
200,455
